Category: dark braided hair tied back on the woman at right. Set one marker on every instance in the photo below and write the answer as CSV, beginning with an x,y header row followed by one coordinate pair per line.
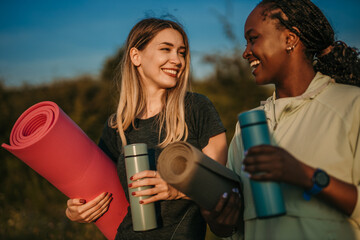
x,y
305,19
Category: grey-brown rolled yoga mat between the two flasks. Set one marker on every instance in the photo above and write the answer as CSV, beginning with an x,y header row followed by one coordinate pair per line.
x,y
196,175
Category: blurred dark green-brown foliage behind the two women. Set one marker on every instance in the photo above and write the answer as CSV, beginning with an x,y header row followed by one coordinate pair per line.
x,y
30,207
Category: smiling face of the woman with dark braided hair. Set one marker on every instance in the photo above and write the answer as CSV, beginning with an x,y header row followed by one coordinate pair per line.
x,y
266,48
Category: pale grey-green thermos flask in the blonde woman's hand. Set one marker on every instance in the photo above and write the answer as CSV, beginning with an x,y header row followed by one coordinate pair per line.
x,y
137,160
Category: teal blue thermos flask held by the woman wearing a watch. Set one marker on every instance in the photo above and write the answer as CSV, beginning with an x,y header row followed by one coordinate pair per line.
x,y
268,198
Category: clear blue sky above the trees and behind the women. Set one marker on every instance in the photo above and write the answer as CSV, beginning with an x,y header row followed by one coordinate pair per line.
x,y
43,40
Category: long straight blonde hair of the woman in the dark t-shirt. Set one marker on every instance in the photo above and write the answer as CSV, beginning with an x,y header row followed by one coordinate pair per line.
x,y
132,101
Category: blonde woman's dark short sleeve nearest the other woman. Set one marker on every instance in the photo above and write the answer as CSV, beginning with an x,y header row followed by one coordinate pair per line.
x,y
204,120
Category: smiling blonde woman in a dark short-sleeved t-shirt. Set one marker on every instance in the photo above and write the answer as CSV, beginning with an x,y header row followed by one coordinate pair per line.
x,y
156,108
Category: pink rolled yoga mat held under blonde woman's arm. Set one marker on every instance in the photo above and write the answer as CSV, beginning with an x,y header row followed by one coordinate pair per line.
x,y
47,140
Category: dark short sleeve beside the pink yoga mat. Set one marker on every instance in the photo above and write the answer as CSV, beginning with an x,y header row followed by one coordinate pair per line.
x,y
108,142
